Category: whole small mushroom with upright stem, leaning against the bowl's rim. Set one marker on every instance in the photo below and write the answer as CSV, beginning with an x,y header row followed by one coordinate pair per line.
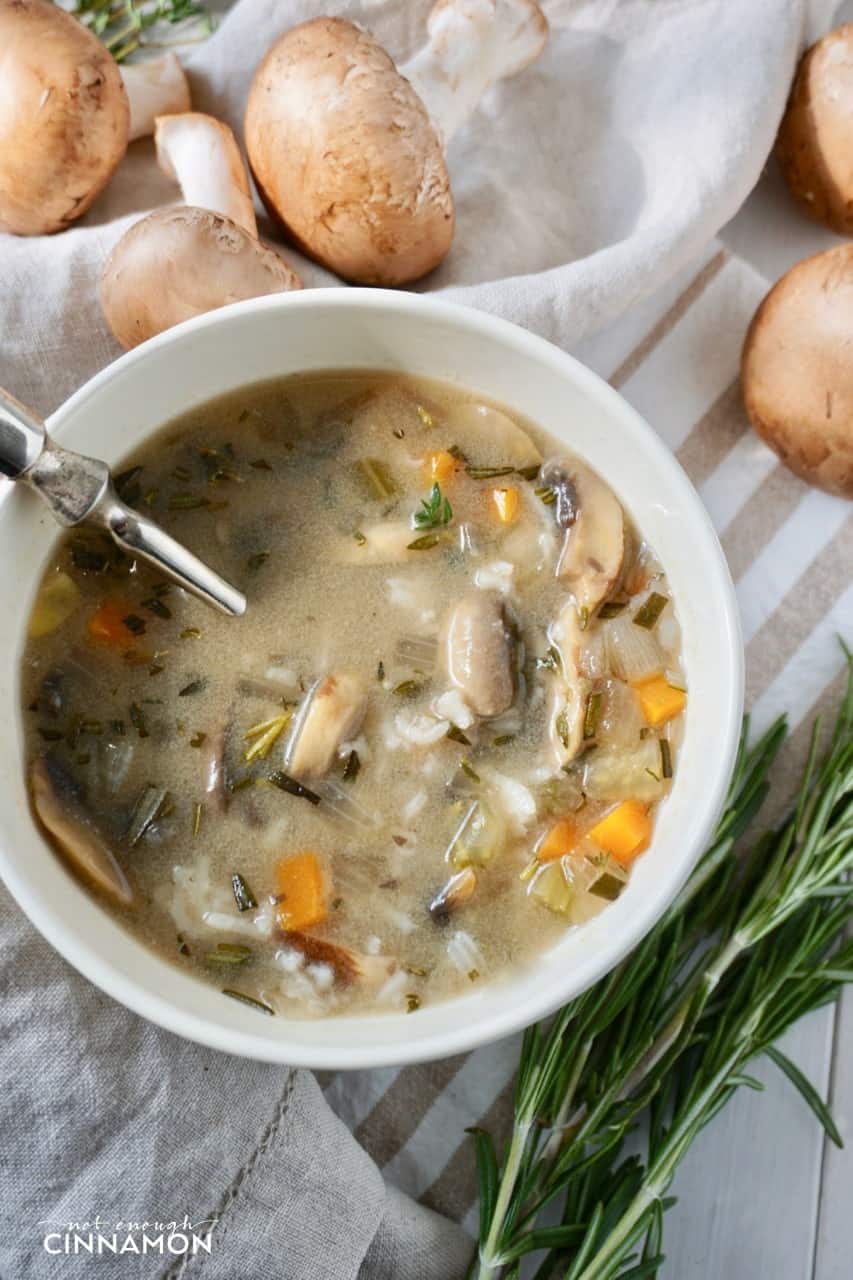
x,y
185,260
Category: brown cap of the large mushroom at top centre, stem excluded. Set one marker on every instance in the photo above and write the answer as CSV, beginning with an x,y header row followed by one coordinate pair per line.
x,y
346,158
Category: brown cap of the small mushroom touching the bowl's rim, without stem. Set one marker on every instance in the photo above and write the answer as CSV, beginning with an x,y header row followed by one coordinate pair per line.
x,y
179,263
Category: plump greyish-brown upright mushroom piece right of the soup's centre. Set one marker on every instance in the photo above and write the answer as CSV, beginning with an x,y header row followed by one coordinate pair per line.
x,y
478,651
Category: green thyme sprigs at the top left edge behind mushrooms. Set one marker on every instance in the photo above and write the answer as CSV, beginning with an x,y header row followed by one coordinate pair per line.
x,y
122,25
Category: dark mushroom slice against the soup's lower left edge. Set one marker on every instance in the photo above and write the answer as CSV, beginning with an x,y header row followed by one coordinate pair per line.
x,y
58,806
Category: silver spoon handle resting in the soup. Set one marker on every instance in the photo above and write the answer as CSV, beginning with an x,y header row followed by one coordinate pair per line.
x,y
80,491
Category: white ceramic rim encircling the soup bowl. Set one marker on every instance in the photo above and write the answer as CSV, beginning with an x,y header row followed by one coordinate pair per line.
x,y
514,1017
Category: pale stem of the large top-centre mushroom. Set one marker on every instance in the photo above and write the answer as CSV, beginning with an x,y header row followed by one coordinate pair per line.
x,y
472,45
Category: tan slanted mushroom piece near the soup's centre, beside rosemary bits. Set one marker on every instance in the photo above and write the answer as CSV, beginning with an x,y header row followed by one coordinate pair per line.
x,y
331,715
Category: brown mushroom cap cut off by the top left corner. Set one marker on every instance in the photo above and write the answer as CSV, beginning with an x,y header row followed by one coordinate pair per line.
x,y
65,117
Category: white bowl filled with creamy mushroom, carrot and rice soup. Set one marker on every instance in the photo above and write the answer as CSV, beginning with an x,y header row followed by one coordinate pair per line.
x,y
467,743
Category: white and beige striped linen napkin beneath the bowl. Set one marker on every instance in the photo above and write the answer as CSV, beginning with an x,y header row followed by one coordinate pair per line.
x,y
790,547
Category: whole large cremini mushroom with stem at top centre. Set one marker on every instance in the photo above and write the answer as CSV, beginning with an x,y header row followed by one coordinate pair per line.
x,y
350,158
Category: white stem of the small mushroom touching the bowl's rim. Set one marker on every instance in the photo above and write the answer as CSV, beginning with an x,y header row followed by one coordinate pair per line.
x,y
203,157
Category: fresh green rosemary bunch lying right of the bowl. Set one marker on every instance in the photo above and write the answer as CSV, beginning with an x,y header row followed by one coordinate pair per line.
x,y
752,944
